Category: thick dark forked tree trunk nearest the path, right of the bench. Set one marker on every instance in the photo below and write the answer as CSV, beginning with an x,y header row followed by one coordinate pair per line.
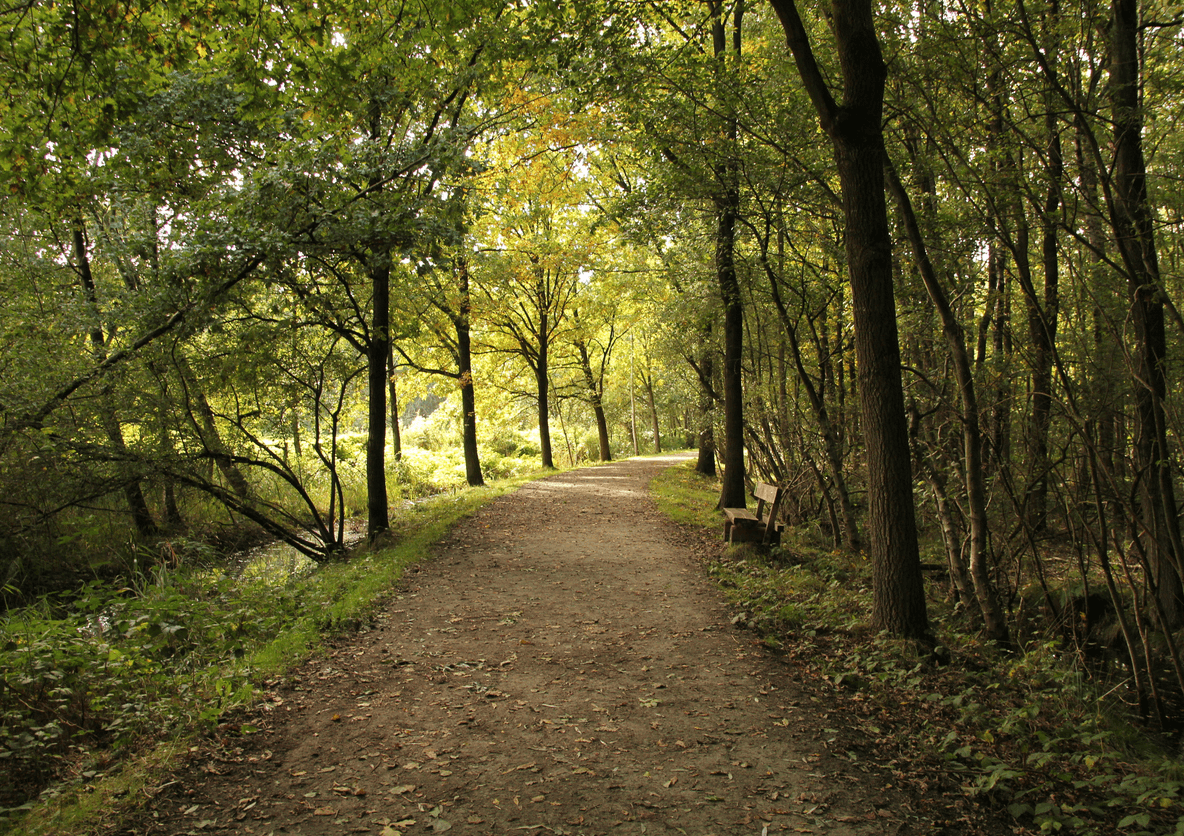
x,y
855,132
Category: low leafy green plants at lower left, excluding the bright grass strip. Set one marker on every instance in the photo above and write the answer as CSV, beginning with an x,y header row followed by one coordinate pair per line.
x,y
87,679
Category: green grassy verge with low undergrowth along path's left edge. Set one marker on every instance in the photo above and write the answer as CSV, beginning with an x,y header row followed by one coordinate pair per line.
x,y
101,687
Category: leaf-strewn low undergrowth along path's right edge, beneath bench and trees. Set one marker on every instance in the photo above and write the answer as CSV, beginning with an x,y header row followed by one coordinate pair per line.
x,y
1029,732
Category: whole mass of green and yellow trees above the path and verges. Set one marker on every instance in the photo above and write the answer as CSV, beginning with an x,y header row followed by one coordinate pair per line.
x,y
917,262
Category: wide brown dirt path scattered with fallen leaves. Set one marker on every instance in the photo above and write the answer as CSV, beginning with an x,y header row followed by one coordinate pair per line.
x,y
561,665
